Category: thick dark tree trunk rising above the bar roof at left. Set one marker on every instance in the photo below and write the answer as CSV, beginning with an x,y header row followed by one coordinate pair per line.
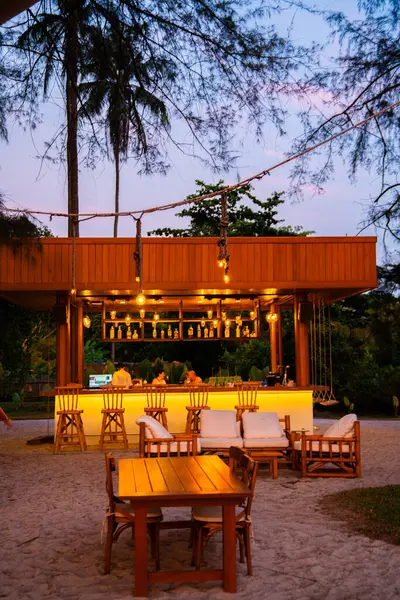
x,y
72,120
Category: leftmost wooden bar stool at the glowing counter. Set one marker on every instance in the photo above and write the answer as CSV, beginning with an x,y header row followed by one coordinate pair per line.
x,y
69,430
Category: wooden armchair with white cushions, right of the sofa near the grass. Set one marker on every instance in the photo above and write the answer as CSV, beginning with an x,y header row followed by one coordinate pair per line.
x,y
328,455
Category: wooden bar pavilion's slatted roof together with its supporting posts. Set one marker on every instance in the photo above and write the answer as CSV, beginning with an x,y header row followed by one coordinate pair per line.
x,y
280,272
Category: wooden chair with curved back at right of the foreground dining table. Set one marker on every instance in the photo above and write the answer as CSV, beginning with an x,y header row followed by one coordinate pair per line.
x,y
208,519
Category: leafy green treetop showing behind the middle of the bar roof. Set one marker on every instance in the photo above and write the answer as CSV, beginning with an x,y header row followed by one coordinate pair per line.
x,y
243,220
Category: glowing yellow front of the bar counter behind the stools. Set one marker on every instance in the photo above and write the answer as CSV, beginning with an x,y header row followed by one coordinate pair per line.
x,y
294,401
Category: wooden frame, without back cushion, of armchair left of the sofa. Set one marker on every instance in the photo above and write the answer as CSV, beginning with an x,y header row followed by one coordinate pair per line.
x,y
179,444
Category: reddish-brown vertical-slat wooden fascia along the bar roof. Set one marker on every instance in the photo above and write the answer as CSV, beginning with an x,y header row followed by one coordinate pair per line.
x,y
190,263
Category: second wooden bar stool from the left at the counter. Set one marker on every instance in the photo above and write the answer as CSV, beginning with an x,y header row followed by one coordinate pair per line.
x,y
113,424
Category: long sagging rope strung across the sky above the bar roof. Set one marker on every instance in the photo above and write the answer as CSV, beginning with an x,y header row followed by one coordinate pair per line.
x,y
225,190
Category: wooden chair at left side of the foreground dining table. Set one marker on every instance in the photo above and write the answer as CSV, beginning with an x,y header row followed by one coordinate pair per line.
x,y
120,516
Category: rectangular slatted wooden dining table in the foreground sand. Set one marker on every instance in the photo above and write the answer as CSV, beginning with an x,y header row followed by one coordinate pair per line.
x,y
186,481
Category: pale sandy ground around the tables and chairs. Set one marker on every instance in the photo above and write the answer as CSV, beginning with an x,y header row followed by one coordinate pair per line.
x,y
52,506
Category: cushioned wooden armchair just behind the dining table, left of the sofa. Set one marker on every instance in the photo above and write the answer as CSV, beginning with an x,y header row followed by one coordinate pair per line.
x,y
163,443
